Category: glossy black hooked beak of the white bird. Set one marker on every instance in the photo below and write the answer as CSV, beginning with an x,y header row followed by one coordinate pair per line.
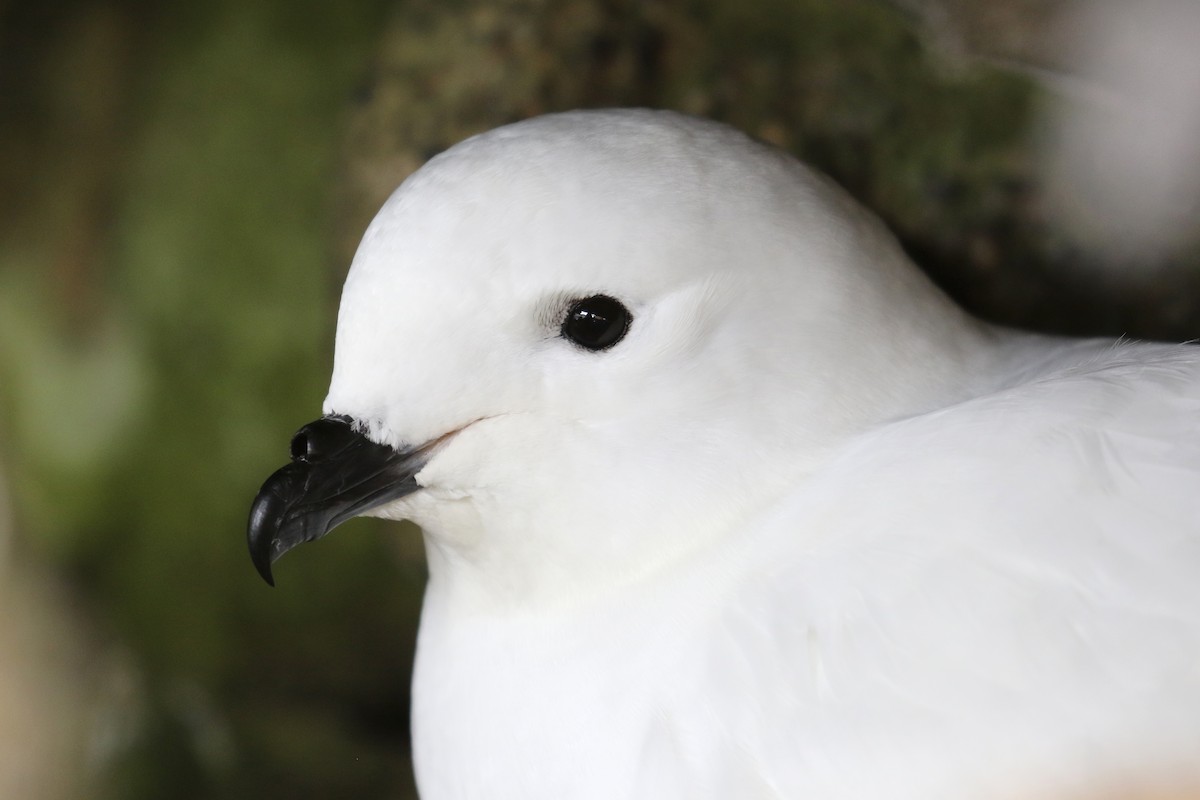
x,y
337,473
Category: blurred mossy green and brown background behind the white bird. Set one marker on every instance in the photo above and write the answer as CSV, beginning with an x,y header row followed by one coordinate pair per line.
x,y
182,188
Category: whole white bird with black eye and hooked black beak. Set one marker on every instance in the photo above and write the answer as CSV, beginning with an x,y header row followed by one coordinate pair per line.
x,y
723,498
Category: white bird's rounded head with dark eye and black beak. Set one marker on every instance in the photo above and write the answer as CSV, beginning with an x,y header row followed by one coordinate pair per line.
x,y
575,348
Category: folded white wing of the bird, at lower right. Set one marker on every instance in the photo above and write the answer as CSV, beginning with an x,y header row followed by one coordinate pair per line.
x,y
993,599
